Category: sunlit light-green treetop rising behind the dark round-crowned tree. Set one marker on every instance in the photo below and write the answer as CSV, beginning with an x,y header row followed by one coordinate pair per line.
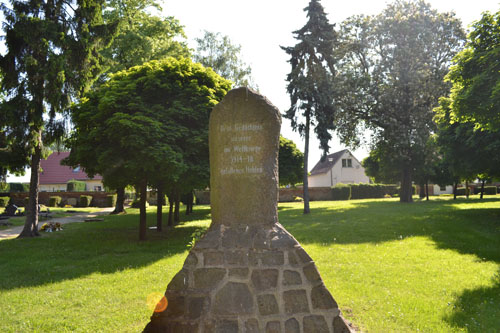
x,y
142,36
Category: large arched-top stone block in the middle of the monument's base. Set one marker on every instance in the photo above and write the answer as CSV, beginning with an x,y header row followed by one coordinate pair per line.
x,y
234,299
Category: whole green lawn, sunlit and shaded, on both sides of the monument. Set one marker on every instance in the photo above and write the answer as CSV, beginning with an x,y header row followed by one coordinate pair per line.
x,y
427,266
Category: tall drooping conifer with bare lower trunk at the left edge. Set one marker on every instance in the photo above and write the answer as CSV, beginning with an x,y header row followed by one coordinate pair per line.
x,y
52,57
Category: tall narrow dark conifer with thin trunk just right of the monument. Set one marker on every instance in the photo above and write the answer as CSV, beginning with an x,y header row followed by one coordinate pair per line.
x,y
310,82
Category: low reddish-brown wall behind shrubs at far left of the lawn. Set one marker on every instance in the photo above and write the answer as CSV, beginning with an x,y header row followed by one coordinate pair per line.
x,y
99,199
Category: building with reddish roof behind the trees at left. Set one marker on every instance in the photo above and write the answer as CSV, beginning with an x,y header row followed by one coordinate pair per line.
x,y
55,176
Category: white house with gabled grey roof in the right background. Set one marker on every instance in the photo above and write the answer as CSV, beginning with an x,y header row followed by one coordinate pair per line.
x,y
340,167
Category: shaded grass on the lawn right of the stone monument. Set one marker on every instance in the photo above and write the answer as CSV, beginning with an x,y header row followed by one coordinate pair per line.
x,y
466,230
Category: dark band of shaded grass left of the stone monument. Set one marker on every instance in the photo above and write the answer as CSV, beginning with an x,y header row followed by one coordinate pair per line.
x,y
85,248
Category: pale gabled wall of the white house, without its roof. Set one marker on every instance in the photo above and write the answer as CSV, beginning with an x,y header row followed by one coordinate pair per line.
x,y
338,174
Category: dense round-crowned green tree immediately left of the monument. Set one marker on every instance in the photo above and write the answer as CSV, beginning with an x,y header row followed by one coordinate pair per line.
x,y
144,125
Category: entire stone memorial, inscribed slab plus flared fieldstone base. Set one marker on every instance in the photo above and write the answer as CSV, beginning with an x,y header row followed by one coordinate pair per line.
x,y
247,274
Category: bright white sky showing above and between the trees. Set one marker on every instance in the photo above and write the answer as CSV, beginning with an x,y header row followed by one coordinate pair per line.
x,y
261,26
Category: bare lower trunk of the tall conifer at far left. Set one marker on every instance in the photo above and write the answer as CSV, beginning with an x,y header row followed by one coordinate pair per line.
x,y
31,223
